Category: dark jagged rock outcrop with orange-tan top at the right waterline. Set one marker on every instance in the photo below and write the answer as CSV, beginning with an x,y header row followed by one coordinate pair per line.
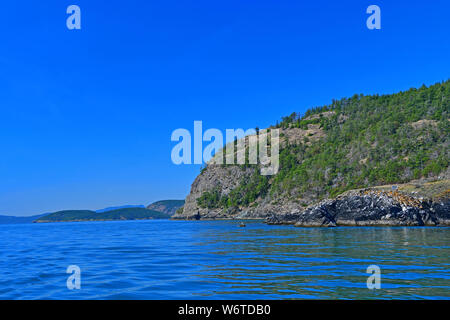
x,y
370,208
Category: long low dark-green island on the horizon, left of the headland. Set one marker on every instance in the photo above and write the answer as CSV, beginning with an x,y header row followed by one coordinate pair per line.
x,y
88,215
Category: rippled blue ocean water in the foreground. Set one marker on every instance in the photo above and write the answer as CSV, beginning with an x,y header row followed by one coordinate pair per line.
x,y
164,259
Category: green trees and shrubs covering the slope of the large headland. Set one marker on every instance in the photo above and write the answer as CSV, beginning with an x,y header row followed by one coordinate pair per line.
x,y
367,141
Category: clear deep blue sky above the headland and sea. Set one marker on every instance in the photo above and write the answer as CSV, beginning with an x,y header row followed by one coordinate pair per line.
x,y
86,116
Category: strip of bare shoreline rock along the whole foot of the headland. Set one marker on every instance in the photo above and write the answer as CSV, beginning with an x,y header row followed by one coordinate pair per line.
x,y
377,206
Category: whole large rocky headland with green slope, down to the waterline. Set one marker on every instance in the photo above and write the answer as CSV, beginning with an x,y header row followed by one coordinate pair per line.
x,y
355,143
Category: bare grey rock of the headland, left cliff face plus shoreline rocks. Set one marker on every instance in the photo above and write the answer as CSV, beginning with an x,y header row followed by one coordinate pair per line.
x,y
417,203
